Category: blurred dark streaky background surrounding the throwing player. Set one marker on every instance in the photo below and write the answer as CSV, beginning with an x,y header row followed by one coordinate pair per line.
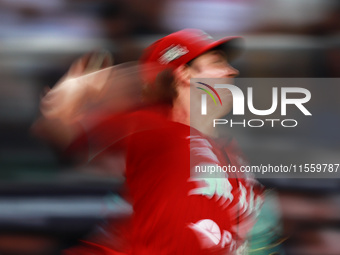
x,y
46,204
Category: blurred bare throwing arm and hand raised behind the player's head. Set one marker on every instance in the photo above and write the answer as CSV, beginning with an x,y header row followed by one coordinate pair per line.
x,y
62,105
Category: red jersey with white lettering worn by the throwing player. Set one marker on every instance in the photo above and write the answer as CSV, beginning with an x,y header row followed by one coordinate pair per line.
x,y
174,212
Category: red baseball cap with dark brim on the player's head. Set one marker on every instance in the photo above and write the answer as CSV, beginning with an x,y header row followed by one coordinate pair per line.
x,y
183,46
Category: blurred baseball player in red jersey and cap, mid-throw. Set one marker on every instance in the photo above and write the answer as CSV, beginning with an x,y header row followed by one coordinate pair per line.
x,y
174,212
